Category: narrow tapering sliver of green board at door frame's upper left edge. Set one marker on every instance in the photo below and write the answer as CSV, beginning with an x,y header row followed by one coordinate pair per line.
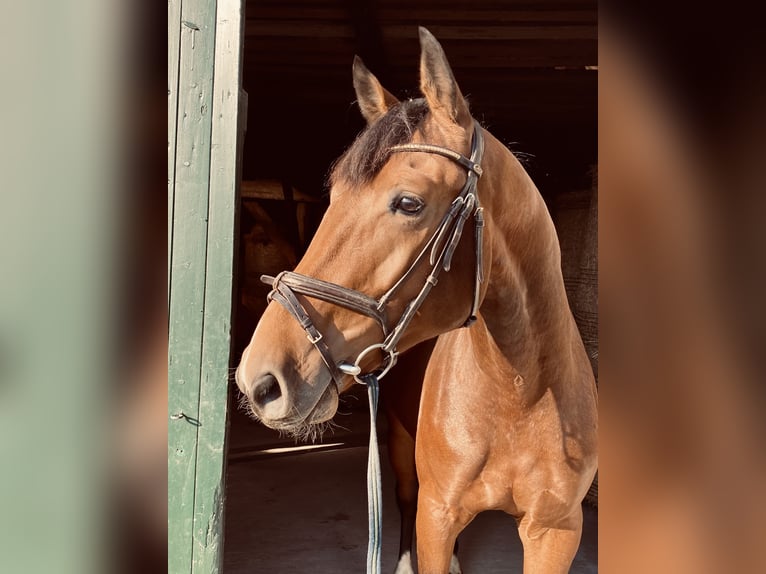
x,y
174,54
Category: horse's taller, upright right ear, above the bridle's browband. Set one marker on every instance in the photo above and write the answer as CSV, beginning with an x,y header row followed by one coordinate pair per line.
x,y
438,83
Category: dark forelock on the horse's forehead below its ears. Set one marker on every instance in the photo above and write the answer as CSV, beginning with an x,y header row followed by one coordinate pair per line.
x,y
369,152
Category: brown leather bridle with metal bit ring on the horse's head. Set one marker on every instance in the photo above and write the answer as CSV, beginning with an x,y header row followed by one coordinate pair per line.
x,y
441,244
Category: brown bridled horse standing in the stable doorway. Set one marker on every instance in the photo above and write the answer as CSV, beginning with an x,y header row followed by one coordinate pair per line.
x,y
507,415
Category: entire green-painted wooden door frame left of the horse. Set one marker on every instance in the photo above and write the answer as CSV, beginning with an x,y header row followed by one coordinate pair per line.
x,y
204,80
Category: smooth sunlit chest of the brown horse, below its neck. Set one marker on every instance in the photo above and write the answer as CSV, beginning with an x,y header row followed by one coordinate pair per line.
x,y
492,421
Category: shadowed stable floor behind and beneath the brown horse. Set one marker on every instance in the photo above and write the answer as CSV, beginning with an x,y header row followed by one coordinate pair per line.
x,y
305,511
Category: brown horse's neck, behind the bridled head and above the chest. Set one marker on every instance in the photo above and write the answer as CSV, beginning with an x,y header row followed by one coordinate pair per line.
x,y
525,309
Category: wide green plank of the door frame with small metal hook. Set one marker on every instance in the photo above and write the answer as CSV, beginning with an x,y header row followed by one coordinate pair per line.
x,y
196,29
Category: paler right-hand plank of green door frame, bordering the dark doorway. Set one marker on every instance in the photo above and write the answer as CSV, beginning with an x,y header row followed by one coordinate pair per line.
x,y
207,555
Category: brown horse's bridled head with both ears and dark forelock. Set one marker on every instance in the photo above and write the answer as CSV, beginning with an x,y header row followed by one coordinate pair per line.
x,y
401,197
